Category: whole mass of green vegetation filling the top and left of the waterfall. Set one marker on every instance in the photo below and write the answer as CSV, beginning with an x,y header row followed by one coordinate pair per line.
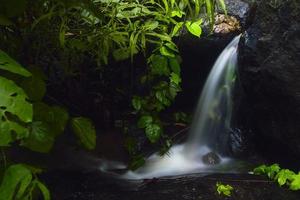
x,y
60,42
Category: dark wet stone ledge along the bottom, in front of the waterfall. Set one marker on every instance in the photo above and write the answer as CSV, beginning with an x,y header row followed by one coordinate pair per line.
x,y
94,186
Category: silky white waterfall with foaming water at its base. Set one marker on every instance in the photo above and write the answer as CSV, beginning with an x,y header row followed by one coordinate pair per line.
x,y
212,119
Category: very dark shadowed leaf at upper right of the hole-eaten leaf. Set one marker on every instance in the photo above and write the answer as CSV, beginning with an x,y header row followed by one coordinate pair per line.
x,y
35,86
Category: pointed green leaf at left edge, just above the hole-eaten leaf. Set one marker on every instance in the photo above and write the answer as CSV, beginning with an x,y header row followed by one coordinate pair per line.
x,y
9,64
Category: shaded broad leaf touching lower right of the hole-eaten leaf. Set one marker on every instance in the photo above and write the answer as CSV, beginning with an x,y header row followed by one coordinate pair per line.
x,y
40,138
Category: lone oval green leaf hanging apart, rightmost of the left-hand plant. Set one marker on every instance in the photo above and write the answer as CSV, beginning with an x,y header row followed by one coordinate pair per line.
x,y
85,132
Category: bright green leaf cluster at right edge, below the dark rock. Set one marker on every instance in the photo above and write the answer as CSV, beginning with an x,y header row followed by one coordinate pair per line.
x,y
282,176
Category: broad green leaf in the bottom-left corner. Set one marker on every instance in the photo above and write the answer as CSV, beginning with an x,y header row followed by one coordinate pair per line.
x,y
15,181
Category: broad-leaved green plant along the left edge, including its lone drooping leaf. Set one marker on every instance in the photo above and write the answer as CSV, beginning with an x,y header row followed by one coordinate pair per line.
x,y
32,124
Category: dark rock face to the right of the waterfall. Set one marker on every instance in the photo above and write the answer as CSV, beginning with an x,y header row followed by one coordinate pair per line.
x,y
269,68
